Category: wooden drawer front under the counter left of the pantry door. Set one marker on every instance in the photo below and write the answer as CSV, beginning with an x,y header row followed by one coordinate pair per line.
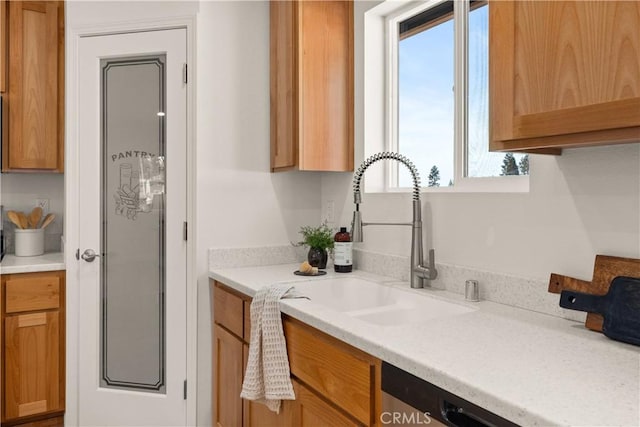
x,y
29,292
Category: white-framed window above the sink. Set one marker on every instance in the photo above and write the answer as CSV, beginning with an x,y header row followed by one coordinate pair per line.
x,y
438,112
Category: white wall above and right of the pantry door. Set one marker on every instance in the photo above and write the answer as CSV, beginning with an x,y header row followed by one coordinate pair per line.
x,y
239,203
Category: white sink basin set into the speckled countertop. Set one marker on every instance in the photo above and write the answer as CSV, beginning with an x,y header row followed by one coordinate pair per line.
x,y
378,304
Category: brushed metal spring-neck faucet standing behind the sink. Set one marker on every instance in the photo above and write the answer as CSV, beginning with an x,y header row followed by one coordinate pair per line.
x,y
418,271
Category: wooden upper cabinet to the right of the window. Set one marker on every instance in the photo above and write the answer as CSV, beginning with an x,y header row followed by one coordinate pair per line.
x,y
563,74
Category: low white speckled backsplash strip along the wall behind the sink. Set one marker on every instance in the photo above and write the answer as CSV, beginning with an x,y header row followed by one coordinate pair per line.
x,y
528,294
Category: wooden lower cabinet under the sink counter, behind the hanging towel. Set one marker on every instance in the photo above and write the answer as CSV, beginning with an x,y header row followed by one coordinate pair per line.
x,y
334,383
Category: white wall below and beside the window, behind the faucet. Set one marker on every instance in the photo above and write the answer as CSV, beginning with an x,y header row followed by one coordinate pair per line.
x,y
580,204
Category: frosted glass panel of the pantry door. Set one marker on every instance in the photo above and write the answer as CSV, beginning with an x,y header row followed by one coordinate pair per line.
x,y
133,278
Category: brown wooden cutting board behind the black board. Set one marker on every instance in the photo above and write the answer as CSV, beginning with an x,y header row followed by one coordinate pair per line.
x,y
605,269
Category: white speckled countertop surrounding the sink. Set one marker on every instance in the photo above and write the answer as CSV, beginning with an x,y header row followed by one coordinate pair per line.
x,y
530,368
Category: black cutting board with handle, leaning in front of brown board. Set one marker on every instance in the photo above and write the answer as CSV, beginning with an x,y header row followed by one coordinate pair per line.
x,y
620,308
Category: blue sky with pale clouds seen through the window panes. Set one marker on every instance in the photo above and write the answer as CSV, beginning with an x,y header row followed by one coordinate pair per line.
x,y
425,115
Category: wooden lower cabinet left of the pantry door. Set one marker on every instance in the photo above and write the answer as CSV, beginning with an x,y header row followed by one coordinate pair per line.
x,y
33,323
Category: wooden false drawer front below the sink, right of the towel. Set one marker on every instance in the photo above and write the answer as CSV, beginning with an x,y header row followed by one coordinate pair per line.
x,y
333,369
